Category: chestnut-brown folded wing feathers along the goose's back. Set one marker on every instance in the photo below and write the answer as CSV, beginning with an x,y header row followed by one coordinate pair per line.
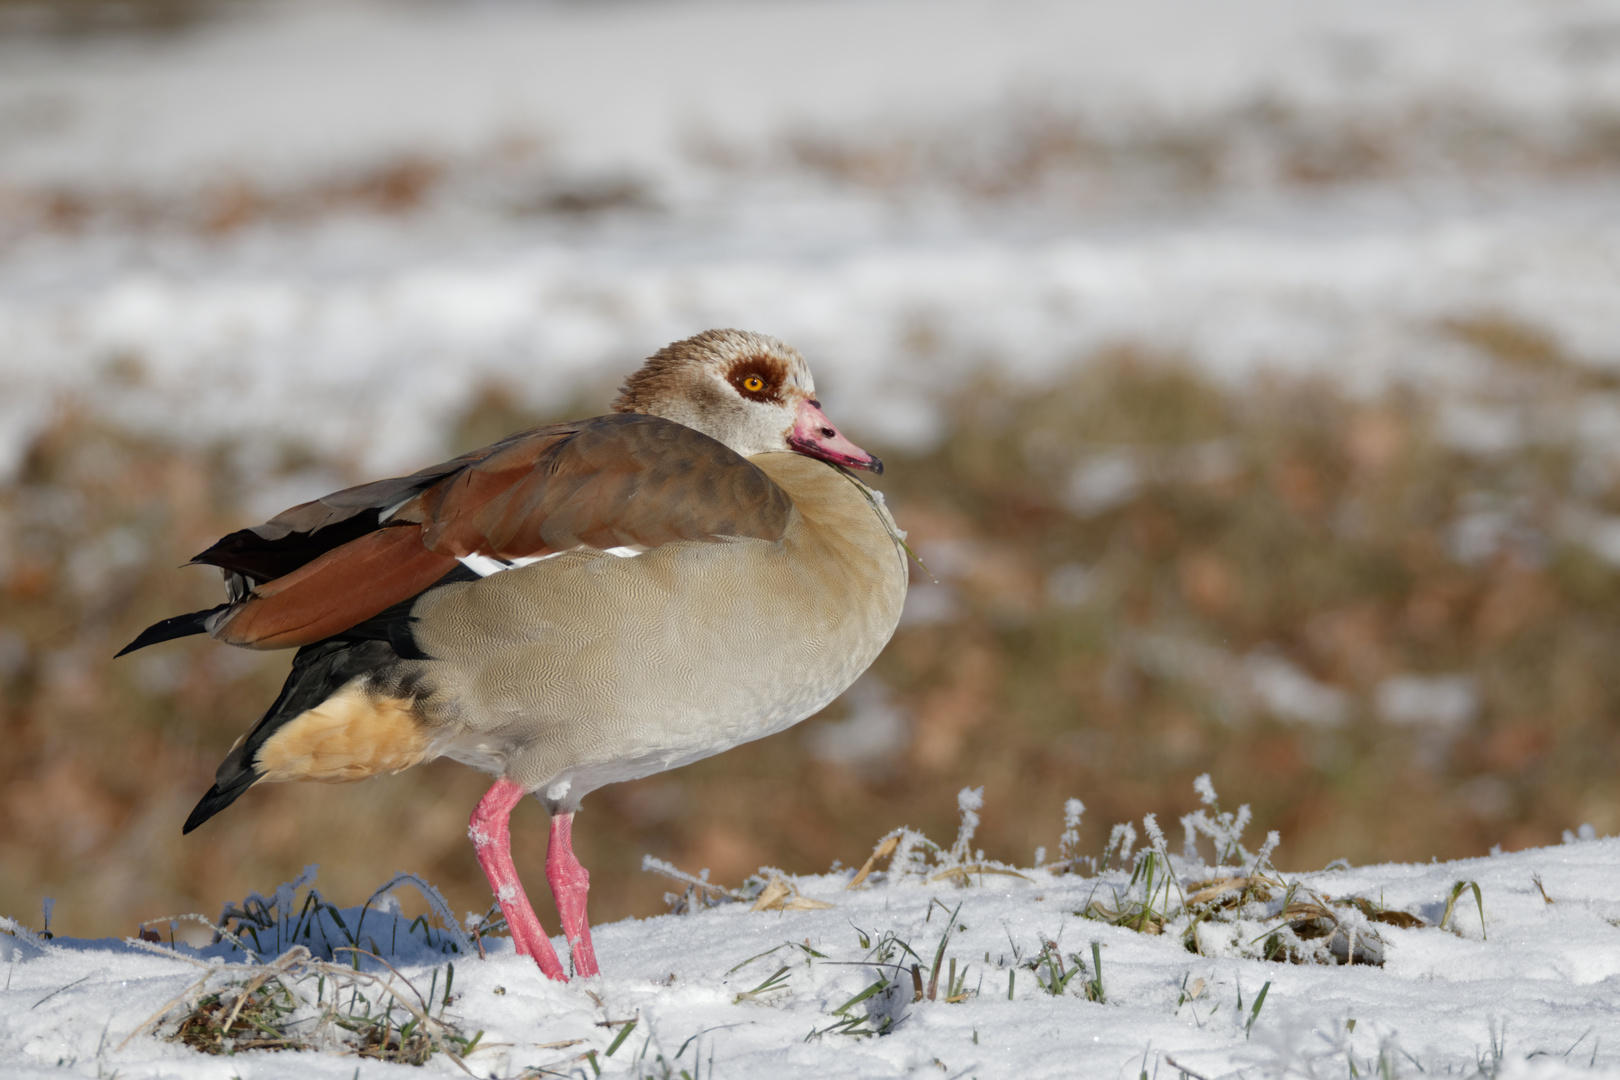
x,y
625,480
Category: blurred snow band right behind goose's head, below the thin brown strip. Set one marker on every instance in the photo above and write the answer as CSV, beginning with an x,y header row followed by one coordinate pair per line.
x,y
375,357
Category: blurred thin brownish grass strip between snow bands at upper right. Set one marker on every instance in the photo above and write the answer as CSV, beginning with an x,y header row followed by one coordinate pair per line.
x,y
1042,151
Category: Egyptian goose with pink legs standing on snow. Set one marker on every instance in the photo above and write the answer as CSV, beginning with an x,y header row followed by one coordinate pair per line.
x,y
576,605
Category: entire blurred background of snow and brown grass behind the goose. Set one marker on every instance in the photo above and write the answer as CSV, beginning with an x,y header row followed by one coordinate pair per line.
x,y
1250,375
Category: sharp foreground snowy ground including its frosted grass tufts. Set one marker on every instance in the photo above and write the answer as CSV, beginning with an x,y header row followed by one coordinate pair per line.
x,y
1130,961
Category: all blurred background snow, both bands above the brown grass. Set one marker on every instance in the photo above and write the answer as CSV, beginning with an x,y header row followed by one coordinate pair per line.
x,y
365,334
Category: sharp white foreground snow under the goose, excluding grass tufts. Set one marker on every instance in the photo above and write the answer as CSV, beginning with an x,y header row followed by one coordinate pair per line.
x,y
1528,993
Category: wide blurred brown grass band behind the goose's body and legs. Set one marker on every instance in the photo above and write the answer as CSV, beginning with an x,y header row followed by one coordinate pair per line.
x,y
1284,522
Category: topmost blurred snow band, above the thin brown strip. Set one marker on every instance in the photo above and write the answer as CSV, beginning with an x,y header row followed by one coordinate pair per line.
x,y
629,87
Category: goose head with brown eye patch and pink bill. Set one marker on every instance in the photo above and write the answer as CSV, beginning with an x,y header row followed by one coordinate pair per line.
x,y
744,389
